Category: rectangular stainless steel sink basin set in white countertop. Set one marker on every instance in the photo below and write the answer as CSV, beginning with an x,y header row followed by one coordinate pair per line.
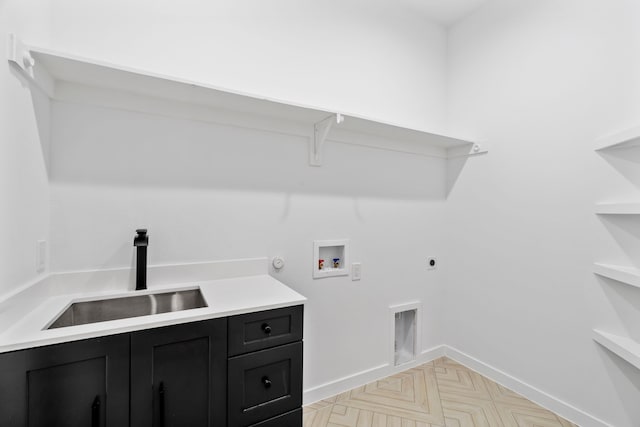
x,y
80,313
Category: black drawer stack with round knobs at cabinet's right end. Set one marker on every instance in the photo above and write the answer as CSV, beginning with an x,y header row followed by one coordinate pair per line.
x,y
265,368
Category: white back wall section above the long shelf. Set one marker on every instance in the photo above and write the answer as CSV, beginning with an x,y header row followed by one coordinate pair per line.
x,y
374,59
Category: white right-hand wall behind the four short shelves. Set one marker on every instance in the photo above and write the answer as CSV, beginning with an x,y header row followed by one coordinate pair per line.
x,y
540,81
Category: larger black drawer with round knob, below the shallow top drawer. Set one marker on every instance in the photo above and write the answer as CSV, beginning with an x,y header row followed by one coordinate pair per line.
x,y
264,384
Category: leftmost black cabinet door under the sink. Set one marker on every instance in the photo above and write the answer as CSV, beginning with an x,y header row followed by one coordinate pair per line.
x,y
77,384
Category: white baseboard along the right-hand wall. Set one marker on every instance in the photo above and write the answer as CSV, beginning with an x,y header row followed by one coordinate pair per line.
x,y
538,396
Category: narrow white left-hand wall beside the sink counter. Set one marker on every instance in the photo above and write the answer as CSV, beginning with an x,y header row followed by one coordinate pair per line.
x,y
24,197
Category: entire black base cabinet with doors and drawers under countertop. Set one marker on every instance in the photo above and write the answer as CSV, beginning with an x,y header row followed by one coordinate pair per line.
x,y
244,370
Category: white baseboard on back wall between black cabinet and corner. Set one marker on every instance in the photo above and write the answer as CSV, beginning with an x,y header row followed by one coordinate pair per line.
x,y
358,379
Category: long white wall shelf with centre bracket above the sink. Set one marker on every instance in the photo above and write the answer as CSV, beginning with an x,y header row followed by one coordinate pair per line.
x,y
54,72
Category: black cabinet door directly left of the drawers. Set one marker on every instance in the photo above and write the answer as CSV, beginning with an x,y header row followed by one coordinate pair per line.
x,y
178,375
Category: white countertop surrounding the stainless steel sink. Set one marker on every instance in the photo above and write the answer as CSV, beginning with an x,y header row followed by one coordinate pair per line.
x,y
224,297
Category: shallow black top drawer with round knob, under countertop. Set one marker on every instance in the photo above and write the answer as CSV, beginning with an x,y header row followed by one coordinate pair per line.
x,y
264,329
